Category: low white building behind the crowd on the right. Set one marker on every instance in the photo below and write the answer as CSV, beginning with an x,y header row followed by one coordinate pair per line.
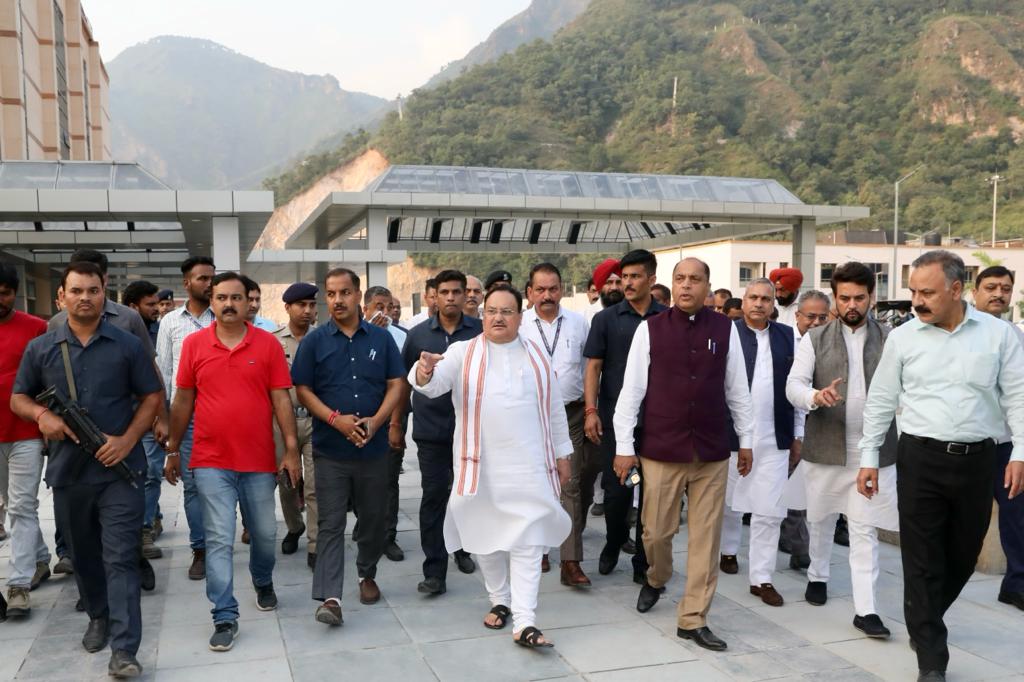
x,y
735,264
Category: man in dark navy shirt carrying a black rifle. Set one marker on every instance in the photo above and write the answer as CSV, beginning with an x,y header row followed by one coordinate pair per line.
x,y
105,371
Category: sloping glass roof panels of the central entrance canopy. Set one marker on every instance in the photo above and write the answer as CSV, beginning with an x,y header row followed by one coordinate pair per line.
x,y
457,180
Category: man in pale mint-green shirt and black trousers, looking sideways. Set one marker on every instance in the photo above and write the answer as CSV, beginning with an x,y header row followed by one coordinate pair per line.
x,y
957,374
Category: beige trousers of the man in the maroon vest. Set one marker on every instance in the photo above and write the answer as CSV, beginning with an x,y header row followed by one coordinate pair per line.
x,y
664,487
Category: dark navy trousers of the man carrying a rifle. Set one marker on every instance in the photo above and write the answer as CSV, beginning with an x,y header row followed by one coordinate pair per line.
x,y
102,528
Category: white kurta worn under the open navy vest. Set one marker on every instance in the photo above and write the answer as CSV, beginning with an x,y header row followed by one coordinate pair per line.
x,y
763,491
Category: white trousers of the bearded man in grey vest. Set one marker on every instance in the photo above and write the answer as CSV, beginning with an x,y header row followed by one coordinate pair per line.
x,y
864,559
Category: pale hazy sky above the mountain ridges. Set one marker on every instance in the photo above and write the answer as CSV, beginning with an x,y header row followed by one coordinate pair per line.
x,y
379,47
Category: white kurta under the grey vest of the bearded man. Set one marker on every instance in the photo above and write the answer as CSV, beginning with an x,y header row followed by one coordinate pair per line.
x,y
831,489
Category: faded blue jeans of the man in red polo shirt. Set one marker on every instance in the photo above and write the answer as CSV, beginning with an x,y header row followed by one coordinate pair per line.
x,y
221,493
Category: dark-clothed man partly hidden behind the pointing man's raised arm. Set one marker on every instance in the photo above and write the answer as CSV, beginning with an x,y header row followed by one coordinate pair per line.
x,y
434,429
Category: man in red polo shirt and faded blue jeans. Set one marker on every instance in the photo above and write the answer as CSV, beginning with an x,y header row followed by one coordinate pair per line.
x,y
236,379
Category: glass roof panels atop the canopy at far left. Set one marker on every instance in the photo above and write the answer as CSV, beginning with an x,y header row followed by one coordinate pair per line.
x,y
76,176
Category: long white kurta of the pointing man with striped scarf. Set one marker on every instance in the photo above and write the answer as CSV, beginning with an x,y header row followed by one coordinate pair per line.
x,y
515,505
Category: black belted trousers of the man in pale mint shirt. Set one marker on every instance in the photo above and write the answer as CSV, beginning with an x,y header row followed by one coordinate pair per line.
x,y
946,504
